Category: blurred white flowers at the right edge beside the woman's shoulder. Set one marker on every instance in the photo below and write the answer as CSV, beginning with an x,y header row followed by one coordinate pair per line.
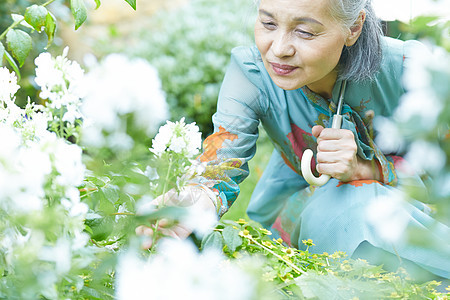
x,y
420,116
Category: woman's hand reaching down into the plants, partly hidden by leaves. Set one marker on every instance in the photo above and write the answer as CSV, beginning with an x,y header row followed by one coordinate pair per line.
x,y
191,196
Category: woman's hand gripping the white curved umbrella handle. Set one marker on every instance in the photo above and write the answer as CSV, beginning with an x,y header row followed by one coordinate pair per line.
x,y
337,156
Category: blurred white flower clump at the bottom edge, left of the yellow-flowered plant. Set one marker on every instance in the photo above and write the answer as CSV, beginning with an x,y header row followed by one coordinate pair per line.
x,y
201,276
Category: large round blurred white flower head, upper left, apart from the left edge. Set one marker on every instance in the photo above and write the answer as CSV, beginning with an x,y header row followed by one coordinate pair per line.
x,y
122,89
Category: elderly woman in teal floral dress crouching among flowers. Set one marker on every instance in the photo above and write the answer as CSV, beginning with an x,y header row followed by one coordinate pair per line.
x,y
290,82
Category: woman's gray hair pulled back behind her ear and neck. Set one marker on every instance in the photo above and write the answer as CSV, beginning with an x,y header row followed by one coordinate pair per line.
x,y
362,60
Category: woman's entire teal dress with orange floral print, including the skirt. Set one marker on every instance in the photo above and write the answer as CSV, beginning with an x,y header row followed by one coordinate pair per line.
x,y
337,216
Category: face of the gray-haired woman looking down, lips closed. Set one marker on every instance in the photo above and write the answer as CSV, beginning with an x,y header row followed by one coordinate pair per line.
x,y
300,43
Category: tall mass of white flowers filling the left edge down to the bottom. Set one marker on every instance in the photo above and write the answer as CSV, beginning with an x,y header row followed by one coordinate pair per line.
x,y
42,213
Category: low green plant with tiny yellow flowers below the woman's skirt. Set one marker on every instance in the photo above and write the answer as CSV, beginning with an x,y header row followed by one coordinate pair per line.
x,y
298,274
